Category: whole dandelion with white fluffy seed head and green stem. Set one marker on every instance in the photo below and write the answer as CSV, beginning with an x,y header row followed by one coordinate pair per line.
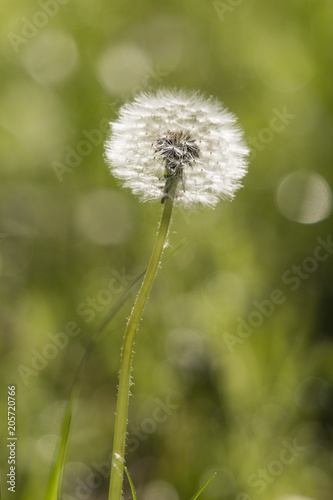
x,y
179,148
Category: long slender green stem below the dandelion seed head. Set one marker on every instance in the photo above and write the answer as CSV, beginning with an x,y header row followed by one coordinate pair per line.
x,y
117,466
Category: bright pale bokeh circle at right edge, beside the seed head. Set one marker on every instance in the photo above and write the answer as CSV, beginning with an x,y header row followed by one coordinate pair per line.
x,y
304,197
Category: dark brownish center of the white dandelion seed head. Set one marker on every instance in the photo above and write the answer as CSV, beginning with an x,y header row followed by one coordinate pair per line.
x,y
177,148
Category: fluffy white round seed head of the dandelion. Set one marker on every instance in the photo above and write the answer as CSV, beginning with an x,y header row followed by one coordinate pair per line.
x,y
177,137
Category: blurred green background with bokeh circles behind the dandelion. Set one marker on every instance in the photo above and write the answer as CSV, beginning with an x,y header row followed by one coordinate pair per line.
x,y
67,228
